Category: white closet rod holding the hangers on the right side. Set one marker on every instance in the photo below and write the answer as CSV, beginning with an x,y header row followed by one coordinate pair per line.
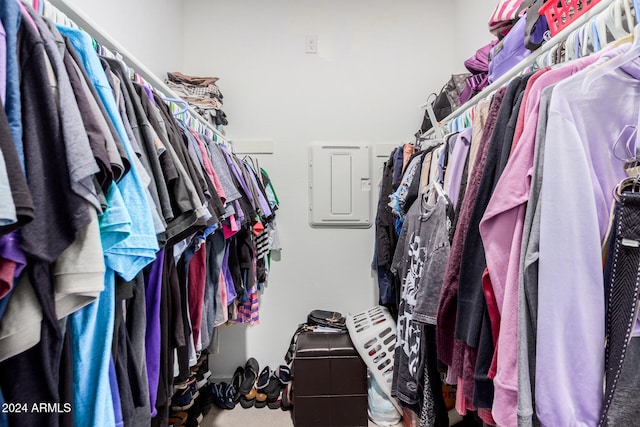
x,y
520,67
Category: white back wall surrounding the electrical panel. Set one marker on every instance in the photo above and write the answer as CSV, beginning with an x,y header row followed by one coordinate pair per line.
x,y
376,63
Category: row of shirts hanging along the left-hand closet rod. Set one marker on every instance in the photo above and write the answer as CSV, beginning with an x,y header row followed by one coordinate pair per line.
x,y
119,225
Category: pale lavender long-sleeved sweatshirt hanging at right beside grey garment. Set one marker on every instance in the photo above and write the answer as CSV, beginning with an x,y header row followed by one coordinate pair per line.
x,y
580,174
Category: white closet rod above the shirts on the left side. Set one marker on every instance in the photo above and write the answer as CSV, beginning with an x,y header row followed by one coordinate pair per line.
x,y
101,36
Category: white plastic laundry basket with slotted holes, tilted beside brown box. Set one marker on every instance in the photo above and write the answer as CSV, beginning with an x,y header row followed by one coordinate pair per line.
x,y
373,333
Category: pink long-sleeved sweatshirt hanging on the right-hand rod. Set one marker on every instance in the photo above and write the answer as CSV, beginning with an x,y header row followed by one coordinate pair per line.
x,y
501,230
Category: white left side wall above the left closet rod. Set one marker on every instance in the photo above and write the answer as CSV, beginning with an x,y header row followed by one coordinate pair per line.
x,y
151,30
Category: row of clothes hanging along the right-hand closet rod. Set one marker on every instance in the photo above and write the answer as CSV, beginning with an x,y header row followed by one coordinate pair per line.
x,y
530,324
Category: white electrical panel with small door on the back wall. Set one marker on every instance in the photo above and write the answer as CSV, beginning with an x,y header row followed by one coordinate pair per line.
x,y
339,186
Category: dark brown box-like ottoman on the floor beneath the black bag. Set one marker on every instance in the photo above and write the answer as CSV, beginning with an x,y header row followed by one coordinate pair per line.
x,y
329,382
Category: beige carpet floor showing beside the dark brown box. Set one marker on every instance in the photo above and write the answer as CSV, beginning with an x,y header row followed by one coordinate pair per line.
x,y
252,417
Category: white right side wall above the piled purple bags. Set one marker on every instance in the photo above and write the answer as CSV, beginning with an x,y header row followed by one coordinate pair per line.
x,y
471,22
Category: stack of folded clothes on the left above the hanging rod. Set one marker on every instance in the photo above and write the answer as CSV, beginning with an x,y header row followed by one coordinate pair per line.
x,y
202,93
